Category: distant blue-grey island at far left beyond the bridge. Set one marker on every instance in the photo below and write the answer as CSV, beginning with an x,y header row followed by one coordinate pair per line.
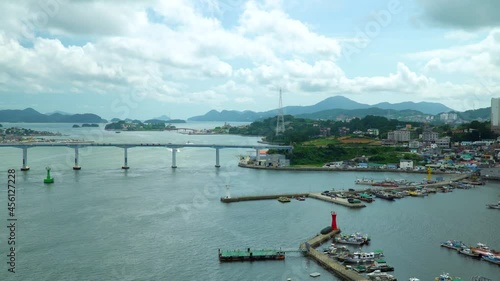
x,y
29,115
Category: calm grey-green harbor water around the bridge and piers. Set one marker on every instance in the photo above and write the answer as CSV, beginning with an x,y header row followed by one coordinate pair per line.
x,y
152,222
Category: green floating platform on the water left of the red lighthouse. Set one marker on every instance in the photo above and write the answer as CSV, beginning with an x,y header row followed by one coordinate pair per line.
x,y
250,255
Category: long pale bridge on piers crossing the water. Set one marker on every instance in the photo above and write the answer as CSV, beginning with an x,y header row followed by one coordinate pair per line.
x,y
173,146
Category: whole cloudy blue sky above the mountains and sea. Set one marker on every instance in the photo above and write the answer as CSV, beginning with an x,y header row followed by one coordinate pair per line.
x,y
181,58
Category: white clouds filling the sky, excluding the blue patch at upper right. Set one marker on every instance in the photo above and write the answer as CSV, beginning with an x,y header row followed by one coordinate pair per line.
x,y
179,52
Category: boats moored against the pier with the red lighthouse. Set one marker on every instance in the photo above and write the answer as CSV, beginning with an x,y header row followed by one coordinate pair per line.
x,y
371,263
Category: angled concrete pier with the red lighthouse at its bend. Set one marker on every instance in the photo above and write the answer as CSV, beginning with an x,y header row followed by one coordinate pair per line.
x,y
325,261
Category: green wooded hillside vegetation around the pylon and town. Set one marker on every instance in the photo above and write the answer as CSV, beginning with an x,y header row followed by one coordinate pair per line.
x,y
321,141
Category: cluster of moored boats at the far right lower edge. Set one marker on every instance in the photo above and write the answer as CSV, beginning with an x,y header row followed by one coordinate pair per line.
x,y
480,250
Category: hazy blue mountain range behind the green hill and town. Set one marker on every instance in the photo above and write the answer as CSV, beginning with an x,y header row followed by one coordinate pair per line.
x,y
335,102
